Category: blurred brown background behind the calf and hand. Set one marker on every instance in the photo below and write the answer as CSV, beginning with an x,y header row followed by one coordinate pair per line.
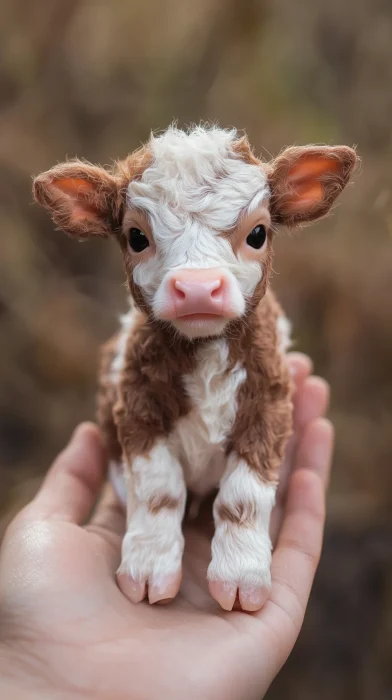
x,y
92,79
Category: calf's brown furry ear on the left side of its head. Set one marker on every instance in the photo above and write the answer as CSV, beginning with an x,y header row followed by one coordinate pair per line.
x,y
82,198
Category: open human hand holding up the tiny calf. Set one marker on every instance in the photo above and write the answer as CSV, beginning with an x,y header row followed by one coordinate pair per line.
x,y
67,631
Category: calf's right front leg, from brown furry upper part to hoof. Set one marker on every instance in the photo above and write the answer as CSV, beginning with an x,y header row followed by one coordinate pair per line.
x,y
241,546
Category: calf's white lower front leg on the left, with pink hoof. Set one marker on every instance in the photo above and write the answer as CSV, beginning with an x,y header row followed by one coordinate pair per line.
x,y
153,543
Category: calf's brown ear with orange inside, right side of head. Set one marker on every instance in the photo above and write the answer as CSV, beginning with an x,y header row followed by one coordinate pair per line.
x,y
305,181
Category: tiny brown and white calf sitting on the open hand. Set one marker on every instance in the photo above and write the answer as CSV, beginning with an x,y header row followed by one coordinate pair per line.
x,y
194,390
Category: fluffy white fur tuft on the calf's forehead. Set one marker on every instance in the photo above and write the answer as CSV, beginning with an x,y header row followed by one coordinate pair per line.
x,y
195,176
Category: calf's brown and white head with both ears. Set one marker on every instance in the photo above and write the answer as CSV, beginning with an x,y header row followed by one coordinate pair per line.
x,y
194,214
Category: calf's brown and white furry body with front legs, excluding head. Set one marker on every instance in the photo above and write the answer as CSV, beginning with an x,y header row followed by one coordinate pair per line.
x,y
198,416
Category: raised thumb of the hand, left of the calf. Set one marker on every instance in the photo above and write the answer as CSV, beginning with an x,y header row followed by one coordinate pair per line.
x,y
72,484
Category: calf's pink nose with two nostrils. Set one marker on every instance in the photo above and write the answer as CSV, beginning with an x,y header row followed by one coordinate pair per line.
x,y
197,292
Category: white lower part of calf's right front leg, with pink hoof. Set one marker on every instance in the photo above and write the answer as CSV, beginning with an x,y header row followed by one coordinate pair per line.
x,y
241,546
